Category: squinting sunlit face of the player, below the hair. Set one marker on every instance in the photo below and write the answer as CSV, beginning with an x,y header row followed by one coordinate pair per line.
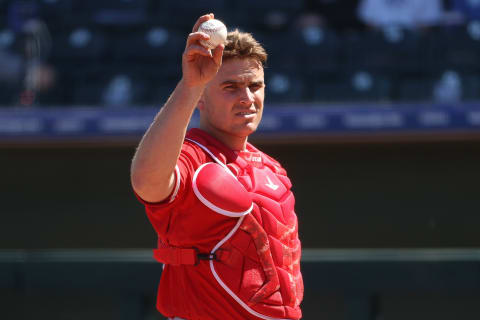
x,y
232,102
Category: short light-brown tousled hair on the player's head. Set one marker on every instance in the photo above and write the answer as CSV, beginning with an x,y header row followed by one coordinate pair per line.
x,y
242,45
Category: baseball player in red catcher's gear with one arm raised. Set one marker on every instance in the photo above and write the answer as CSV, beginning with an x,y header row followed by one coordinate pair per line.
x,y
223,210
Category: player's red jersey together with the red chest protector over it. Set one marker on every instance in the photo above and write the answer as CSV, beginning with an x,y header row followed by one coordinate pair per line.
x,y
238,208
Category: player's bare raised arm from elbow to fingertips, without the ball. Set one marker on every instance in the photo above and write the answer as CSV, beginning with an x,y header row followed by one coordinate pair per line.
x,y
157,154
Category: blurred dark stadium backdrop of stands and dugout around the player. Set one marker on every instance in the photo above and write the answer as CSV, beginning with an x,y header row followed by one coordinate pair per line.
x,y
373,107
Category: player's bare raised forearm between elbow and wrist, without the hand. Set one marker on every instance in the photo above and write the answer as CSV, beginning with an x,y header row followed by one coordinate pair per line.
x,y
157,154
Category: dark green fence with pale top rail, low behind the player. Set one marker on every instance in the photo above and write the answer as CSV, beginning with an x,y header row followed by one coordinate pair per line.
x,y
339,284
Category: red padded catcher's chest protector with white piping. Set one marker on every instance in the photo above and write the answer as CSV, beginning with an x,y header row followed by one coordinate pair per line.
x,y
258,262
